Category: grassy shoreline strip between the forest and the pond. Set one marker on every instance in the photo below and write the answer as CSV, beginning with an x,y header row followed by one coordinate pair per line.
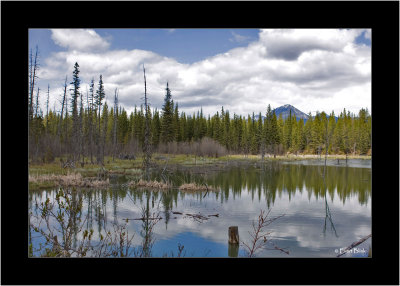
x,y
51,175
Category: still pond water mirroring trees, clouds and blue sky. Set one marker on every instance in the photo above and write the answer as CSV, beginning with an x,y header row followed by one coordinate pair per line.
x,y
312,202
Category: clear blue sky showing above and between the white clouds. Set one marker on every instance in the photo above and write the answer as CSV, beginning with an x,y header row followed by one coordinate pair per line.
x,y
184,45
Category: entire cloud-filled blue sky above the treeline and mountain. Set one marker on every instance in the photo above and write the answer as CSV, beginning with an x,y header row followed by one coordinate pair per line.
x,y
242,69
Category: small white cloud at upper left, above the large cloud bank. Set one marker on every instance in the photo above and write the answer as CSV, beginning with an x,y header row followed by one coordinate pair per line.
x,y
79,39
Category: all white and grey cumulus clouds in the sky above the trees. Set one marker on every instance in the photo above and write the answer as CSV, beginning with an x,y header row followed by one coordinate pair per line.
x,y
311,69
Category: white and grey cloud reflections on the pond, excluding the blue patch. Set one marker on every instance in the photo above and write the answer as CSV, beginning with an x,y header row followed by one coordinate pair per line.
x,y
303,221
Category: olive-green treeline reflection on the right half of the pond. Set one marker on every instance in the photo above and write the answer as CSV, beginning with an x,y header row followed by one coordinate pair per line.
x,y
277,179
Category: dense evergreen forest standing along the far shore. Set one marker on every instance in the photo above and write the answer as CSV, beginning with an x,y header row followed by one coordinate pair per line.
x,y
87,127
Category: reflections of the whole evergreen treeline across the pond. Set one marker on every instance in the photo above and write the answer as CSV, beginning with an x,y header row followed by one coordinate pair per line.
x,y
272,180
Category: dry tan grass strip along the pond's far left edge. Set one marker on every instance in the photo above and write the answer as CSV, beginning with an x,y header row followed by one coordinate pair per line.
x,y
70,180
